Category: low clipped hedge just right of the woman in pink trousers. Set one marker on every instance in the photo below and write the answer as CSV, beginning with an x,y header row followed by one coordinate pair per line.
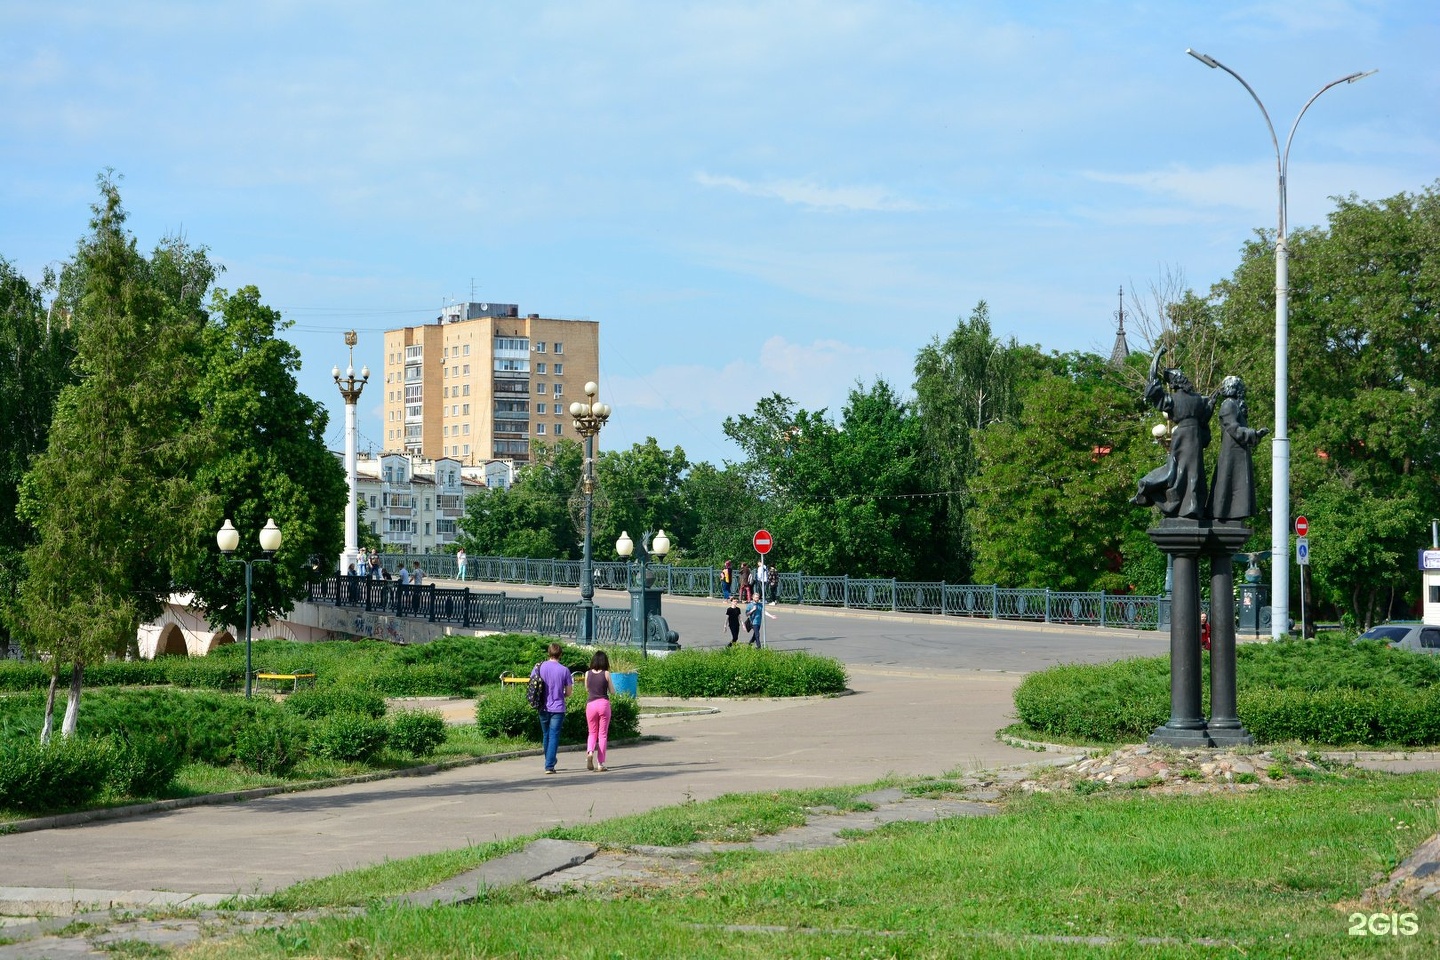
x,y
741,671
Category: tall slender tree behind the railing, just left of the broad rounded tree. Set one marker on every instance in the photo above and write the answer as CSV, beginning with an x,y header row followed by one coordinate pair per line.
x,y
963,386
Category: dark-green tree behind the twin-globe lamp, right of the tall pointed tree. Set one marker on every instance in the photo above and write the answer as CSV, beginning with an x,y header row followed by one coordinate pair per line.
x,y
270,460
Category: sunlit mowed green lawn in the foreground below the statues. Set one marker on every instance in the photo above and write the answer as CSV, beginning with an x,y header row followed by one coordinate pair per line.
x,y
1275,873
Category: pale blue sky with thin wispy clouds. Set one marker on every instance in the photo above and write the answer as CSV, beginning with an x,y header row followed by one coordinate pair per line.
x,y
750,198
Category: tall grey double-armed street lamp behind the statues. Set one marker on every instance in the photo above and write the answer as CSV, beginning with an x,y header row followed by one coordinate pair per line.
x,y
1281,447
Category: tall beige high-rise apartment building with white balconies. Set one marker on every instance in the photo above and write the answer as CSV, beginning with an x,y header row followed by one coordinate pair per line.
x,y
482,382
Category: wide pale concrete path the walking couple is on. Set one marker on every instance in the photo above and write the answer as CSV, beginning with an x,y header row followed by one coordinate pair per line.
x,y
895,722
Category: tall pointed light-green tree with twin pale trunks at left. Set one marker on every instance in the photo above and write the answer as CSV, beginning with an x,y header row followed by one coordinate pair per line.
x,y
113,497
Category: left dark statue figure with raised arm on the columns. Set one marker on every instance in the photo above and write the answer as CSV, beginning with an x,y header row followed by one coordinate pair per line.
x,y
1179,487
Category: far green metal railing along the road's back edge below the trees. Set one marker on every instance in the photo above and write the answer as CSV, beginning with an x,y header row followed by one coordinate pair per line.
x,y
853,594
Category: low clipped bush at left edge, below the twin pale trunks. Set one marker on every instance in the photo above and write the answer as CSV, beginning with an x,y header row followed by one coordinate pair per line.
x,y
66,774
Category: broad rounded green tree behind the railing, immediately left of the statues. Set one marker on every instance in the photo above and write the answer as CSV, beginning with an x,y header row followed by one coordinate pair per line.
x,y
1050,496
